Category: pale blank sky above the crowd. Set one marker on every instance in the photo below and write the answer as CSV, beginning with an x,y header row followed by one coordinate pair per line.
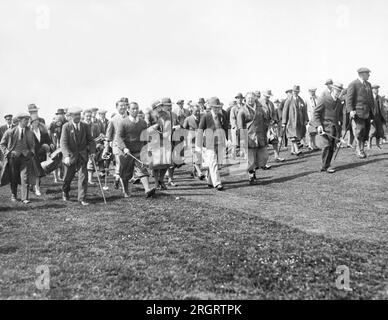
x,y
84,53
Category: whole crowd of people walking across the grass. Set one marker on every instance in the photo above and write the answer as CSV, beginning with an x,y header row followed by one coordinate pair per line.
x,y
140,144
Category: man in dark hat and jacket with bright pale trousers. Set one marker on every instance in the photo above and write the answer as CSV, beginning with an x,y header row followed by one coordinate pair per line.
x,y
214,125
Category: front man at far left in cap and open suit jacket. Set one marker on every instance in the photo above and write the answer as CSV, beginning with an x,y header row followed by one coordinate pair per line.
x,y
18,147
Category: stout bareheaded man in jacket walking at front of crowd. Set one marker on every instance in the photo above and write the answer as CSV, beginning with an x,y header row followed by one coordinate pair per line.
x,y
254,120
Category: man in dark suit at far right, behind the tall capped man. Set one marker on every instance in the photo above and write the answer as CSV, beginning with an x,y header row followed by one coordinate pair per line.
x,y
379,118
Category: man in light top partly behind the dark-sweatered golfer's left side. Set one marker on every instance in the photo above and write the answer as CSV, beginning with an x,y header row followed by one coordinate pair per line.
x,y
111,136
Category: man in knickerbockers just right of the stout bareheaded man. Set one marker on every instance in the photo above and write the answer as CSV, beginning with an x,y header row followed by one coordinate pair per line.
x,y
273,138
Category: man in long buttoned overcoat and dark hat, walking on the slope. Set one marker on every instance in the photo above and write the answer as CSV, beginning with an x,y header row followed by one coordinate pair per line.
x,y
295,119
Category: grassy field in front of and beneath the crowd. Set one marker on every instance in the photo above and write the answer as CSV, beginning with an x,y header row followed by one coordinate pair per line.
x,y
282,238
